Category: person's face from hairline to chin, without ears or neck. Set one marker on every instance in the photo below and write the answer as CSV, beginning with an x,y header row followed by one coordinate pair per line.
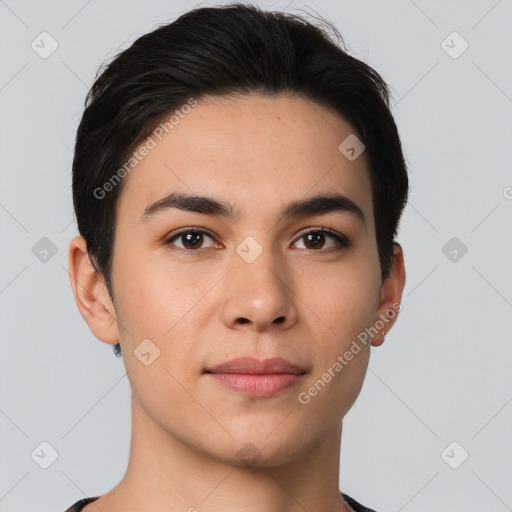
x,y
202,288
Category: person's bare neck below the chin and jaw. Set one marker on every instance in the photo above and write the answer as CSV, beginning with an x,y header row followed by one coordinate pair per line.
x,y
164,473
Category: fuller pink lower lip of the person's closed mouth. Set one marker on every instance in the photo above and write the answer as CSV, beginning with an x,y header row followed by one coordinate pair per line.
x,y
257,385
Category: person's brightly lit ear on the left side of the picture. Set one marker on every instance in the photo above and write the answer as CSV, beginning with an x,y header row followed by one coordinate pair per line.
x,y
91,294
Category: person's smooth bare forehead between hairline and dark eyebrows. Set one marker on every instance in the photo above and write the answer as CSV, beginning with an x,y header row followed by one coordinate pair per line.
x,y
254,151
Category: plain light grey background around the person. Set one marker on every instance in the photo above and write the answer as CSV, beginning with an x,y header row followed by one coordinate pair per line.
x,y
443,373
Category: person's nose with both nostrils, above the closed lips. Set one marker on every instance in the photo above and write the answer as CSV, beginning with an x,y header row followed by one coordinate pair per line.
x,y
259,295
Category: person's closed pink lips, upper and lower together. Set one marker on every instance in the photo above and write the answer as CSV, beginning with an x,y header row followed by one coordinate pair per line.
x,y
256,378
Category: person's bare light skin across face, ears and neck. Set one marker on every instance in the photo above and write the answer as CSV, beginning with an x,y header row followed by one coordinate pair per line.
x,y
259,153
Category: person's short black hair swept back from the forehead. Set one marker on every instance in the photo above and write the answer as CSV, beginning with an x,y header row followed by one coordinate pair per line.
x,y
227,51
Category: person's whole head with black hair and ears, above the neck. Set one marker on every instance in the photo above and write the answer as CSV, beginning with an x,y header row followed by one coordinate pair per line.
x,y
257,111
